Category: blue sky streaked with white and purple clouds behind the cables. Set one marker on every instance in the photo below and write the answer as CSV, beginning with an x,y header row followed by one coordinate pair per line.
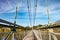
x,y
7,10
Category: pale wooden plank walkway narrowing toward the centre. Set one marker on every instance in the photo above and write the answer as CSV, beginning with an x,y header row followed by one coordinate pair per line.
x,y
33,35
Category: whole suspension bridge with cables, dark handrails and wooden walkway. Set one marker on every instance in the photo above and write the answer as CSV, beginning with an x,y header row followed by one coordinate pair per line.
x,y
13,31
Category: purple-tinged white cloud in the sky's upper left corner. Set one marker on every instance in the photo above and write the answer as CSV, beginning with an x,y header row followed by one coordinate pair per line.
x,y
7,6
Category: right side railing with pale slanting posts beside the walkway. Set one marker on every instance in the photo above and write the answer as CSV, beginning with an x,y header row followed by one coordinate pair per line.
x,y
47,35
